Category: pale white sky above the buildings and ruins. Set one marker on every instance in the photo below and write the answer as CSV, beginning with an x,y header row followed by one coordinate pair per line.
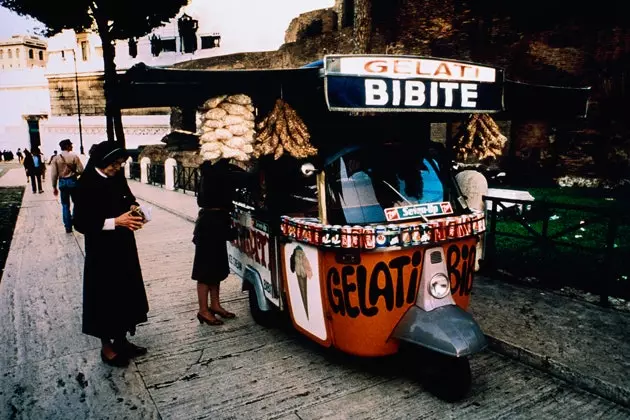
x,y
244,25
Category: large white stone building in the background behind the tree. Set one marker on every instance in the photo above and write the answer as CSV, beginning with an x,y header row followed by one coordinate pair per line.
x,y
30,116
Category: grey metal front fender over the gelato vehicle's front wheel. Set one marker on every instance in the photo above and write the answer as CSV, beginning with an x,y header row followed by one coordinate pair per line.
x,y
448,329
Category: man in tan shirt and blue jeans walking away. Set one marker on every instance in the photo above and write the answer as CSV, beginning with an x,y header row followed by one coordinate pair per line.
x,y
65,168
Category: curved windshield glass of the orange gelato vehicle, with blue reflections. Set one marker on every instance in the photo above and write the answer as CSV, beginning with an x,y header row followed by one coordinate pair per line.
x,y
363,182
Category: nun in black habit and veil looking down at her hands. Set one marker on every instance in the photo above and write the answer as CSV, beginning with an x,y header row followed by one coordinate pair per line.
x,y
114,298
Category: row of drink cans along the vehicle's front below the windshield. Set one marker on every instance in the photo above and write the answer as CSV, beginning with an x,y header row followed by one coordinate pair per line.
x,y
381,236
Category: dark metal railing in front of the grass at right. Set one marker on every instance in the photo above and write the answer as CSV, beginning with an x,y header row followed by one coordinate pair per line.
x,y
562,244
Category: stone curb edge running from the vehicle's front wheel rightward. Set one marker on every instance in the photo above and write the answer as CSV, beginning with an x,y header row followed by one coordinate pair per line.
x,y
594,385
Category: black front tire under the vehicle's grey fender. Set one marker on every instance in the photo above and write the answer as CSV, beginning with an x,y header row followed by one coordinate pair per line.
x,y
448,378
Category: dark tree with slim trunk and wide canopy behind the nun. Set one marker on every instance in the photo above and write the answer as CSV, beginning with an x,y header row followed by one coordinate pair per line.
x,y
113,20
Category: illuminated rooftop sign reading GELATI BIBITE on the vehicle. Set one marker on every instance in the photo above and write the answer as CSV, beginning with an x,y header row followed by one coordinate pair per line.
x,y
385,83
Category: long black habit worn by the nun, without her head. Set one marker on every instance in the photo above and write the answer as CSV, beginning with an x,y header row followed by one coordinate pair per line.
x,y
114,298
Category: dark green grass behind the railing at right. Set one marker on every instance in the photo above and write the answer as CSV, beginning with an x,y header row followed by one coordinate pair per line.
x,y
561,265
